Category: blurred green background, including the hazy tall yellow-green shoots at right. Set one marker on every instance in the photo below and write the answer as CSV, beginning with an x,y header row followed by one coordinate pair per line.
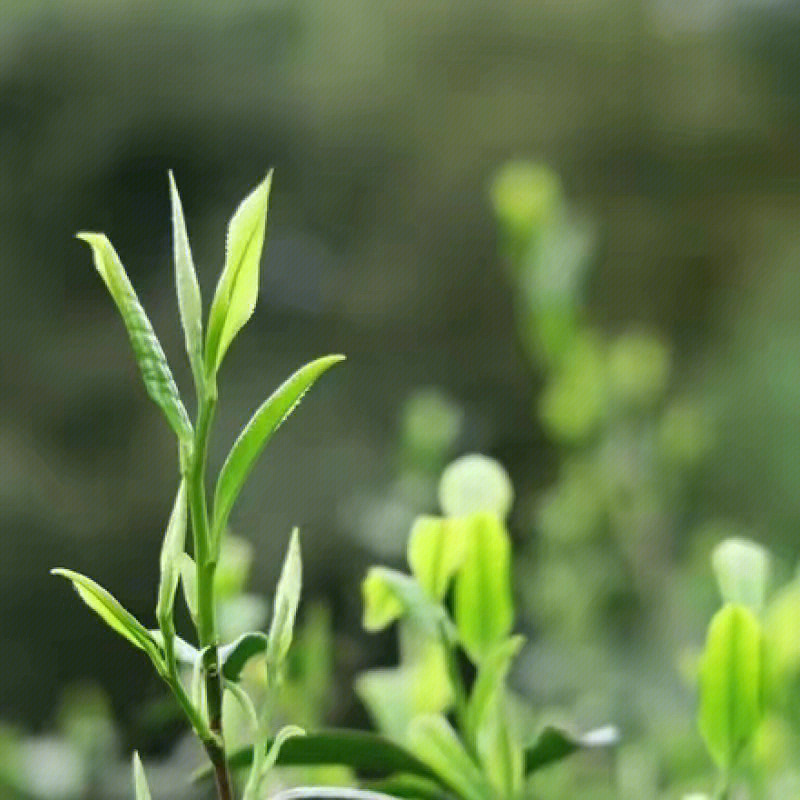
x,y
617,324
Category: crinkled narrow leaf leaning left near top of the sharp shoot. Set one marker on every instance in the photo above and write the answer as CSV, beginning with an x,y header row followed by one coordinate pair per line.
x,y
152,362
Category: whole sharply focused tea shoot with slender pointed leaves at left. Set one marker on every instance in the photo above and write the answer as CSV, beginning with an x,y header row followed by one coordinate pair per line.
x,y
216,664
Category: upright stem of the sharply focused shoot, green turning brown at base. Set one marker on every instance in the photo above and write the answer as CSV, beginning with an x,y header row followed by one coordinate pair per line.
x,y
205,558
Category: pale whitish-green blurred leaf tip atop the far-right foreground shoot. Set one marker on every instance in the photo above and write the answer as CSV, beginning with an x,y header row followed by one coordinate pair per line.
x,y
742,569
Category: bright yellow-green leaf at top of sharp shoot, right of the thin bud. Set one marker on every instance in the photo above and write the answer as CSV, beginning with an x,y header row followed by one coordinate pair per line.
x,y
237,290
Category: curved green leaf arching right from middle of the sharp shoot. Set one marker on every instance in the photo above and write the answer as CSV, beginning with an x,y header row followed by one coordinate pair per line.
x,y
258,432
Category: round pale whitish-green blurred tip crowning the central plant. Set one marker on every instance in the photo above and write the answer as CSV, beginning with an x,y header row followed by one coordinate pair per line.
x,y
475,483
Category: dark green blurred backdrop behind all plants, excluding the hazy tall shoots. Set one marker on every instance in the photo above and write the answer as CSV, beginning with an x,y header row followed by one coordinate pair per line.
x,y
674,123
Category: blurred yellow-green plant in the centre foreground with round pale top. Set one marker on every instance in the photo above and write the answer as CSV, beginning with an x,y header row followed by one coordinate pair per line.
x,y
456,610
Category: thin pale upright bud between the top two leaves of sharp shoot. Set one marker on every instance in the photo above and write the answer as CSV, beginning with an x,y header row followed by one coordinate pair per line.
x,y
190,303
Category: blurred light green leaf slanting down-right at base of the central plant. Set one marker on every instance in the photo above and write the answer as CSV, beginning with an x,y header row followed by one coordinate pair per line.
x,y
432,739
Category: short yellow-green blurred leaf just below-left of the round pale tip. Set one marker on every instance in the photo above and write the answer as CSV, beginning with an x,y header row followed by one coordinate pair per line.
x,y
436,549
